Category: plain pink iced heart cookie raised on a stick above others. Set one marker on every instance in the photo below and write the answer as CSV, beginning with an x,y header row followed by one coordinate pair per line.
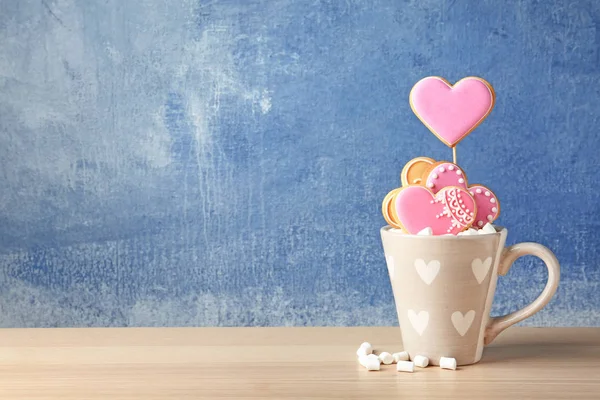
x,y
451,112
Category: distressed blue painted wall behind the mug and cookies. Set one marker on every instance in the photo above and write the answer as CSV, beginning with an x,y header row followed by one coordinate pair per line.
x,y
223,162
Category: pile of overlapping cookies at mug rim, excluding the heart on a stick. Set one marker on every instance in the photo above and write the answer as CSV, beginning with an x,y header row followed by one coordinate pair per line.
x,y
437,195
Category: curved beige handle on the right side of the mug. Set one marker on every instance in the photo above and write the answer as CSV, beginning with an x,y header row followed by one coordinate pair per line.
x,y
509,256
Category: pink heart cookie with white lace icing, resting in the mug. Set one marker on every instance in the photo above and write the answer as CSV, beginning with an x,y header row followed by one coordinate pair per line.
x,y
417,208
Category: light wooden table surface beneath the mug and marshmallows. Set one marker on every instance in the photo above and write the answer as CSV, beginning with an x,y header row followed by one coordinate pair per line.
x,y
284,363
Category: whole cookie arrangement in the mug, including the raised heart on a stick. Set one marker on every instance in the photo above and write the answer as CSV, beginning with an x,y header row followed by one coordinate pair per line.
x,y
435,195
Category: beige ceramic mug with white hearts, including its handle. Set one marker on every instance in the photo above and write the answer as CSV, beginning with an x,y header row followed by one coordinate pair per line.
x,y
444,287
